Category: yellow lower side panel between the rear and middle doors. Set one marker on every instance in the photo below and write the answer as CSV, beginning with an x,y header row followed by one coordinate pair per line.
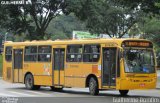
x,y
42,72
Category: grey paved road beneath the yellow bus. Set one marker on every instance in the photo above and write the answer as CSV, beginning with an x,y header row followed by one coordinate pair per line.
x,y
72,95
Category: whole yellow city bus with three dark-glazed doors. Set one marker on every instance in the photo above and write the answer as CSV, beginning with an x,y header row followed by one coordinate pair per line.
x,y
100,64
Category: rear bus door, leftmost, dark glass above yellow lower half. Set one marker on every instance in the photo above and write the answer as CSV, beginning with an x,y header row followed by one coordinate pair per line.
x,y
18,65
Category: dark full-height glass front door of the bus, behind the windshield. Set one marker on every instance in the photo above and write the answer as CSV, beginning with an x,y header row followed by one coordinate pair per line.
x,y
109,67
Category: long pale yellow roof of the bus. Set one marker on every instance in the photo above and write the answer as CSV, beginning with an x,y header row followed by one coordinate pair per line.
x,y
74,41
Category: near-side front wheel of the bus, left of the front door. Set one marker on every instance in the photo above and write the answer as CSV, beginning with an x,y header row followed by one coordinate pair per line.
x,y
93,86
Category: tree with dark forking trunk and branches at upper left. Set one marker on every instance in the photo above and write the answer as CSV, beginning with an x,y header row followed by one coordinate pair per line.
x,y
34,17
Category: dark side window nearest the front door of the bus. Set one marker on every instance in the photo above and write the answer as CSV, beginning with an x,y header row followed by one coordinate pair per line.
x,y
91,53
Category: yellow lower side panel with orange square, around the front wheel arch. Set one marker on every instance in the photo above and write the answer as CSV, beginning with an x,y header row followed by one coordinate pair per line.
x,y
76,73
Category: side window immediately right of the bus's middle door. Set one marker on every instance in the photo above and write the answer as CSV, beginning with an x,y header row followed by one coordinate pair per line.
x,y
74,53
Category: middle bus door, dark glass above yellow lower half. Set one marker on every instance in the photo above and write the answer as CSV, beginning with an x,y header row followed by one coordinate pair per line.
x,y
58,66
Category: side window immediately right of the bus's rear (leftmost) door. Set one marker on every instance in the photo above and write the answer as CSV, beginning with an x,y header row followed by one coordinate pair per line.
x,y
30,53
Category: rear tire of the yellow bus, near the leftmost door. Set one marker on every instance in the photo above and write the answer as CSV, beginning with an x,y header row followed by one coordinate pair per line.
x,y
29,82
